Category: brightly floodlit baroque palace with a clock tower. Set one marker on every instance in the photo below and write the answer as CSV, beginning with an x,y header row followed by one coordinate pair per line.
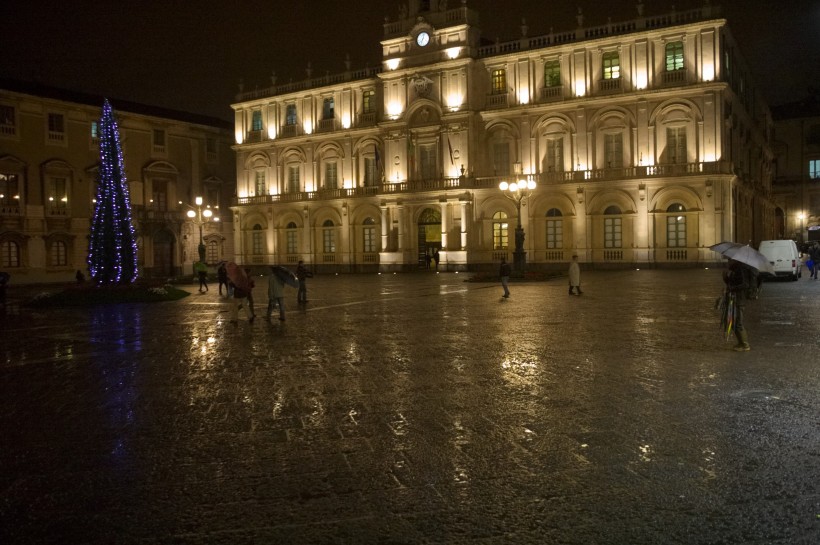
x,y
645,140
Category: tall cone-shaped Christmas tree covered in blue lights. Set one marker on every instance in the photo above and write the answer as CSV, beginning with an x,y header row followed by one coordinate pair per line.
x,y
112,249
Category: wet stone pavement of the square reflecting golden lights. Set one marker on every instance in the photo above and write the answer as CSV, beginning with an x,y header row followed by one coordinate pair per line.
x,y
417,409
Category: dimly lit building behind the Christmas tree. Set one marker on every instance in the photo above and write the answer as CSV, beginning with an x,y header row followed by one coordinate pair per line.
x,y
49,157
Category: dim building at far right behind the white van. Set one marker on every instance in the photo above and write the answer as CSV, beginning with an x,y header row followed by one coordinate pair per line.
x,y
797,163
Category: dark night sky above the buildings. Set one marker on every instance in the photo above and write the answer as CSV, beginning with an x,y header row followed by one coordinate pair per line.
x,y
191,55
